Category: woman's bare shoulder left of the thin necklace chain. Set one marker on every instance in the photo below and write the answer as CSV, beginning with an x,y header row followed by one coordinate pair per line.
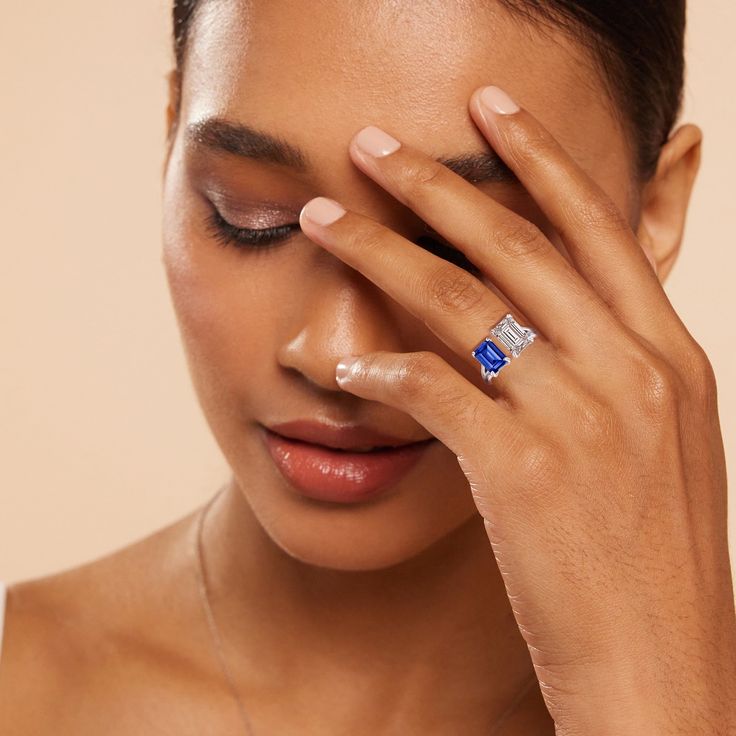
x,y
81,646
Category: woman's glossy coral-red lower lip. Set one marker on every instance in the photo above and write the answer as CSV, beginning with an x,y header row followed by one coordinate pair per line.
x,y
326,473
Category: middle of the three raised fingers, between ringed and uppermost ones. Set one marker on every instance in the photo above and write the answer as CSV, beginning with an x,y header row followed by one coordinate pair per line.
x,y
515,254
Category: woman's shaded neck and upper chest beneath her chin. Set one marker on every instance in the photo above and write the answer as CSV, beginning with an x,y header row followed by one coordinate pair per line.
x,y
377,641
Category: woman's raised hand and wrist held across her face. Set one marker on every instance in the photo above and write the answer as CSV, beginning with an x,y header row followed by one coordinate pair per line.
x,y
596,460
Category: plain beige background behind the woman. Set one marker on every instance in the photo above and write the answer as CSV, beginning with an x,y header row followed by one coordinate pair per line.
x,y
102,439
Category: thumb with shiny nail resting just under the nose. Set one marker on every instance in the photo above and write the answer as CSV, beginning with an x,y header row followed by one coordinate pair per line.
x,y
424,386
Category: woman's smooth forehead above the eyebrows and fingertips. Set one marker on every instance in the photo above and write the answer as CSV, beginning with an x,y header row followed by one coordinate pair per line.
x,y
315,72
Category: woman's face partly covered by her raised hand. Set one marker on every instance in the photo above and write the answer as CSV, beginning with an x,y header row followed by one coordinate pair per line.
x,y
264,327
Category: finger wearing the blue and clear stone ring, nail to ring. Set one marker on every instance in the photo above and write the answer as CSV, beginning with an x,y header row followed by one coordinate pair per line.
x,y
453,303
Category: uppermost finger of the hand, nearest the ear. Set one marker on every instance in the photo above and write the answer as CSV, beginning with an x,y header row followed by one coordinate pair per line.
x,y
599,239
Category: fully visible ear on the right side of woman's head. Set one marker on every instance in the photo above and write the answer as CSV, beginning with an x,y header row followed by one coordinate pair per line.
x,y
665,198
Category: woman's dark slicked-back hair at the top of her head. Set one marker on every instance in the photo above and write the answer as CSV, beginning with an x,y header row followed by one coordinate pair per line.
x,y
637,47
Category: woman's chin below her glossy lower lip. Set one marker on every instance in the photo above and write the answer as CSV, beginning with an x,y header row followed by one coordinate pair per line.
x,y
403,522
